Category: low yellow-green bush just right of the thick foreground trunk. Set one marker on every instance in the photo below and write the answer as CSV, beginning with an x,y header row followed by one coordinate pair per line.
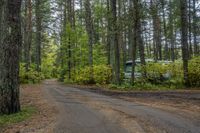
x,y
31,76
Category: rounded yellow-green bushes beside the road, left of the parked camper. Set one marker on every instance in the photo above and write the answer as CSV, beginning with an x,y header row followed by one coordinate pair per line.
x,y
102,74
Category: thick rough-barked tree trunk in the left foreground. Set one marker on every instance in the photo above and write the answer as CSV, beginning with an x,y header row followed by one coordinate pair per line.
x,y
10,42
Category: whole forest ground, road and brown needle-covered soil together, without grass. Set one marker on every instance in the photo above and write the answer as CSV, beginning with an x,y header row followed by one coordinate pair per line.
x,y
89,109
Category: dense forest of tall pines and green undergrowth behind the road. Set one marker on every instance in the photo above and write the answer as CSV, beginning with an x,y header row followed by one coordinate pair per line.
x,y
89,40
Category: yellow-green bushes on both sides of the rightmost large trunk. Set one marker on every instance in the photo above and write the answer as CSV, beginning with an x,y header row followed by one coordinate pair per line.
x,y
155,72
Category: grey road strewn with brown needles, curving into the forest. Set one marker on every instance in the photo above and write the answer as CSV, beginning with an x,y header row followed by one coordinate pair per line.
x,y
83,111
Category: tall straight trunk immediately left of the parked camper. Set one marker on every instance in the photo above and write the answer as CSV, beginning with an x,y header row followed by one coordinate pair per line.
x,y
116,41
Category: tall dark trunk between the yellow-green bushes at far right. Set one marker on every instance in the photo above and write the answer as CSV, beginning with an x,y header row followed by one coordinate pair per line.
x,y
184,39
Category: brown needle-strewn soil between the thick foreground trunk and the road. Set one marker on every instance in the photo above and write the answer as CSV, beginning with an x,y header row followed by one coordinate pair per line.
x,y
43,119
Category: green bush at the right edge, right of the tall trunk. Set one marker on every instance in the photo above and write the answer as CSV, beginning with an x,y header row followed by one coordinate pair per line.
x,y
194,72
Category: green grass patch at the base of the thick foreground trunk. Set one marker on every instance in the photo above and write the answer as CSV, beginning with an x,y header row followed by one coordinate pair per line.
x,y
23,115
